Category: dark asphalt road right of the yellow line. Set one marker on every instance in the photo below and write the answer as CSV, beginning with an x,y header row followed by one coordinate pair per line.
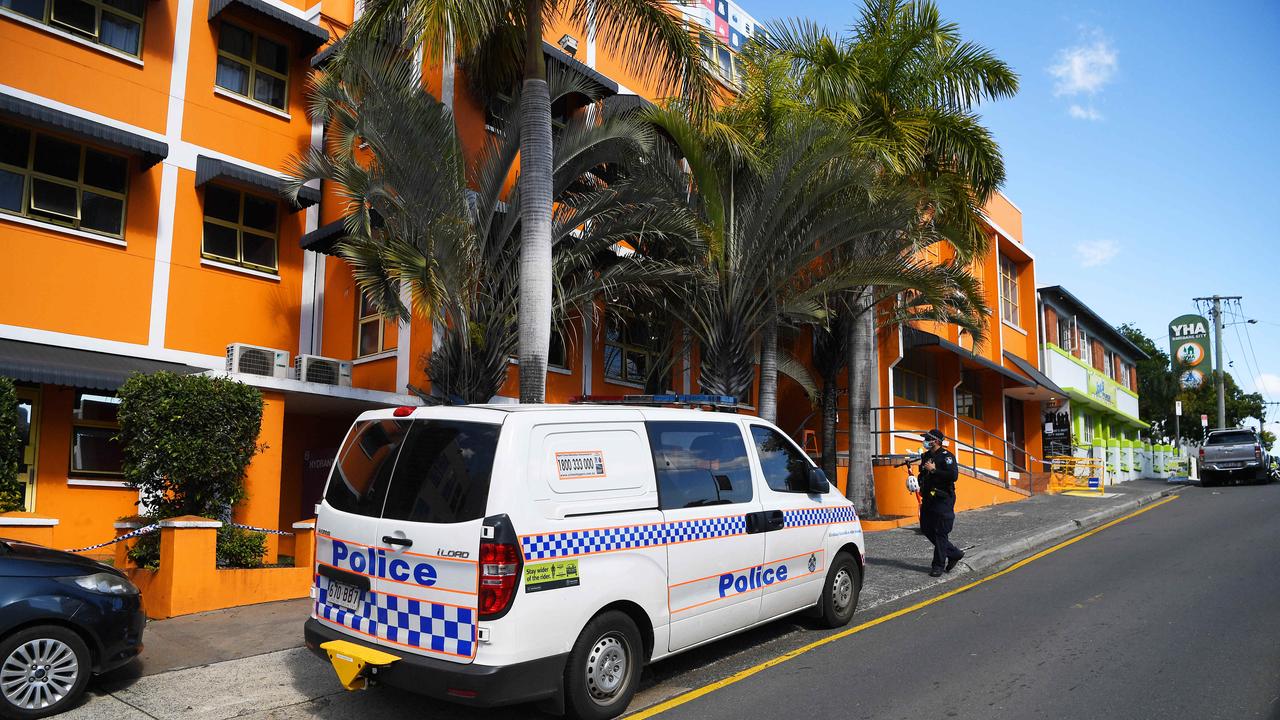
x,y
1172,614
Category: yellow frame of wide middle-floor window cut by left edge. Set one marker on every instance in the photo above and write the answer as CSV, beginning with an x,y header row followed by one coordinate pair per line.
x,y
30,175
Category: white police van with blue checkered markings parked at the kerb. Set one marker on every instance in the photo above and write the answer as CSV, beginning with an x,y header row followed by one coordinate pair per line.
x,y
504,554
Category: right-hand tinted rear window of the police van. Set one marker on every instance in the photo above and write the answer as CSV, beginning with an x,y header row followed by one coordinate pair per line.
x,y
444,473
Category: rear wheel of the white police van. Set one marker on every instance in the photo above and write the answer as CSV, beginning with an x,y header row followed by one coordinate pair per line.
x,y
604,669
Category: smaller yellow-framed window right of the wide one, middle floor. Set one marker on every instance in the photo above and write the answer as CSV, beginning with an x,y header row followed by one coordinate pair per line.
x,y
240,229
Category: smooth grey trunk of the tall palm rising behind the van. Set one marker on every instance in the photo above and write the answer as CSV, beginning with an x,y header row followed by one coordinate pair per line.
x,y
536,213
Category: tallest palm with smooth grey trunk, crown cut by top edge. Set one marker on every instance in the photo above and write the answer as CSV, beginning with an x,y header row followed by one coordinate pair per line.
x,y
652,42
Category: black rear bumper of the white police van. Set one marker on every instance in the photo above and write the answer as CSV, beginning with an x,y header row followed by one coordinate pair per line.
x,y
478,686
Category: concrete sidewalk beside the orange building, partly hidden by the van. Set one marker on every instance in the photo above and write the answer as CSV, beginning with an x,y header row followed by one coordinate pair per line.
x,y
249,662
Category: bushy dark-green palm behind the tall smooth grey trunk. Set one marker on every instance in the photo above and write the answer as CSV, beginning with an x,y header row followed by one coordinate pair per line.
x,y
456,247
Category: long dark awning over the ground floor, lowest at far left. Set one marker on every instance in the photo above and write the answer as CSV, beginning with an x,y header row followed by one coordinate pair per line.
x,y
52,364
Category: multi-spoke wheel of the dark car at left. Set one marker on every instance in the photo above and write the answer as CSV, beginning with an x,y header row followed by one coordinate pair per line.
x,y
43,672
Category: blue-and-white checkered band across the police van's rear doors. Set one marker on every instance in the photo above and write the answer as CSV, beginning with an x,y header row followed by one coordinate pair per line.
x,y
415,623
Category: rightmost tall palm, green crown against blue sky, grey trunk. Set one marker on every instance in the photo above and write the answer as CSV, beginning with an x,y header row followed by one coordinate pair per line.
x,y
906,84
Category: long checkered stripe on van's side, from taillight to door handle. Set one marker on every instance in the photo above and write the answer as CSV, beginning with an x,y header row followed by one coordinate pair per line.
x,y
636,537
